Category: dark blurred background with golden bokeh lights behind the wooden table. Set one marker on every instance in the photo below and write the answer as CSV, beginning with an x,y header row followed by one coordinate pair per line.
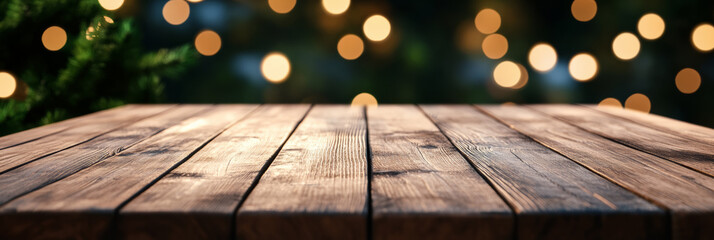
x,y
64,58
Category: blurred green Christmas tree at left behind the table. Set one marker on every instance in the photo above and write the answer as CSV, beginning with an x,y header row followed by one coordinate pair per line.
x,y
101,65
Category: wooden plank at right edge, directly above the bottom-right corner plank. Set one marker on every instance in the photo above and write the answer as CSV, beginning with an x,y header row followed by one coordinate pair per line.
x,y
694,154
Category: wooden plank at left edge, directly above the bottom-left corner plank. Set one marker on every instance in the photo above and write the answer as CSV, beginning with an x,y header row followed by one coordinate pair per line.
x,y
54,167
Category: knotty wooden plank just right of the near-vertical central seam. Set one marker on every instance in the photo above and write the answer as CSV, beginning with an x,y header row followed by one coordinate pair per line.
x,y
422,188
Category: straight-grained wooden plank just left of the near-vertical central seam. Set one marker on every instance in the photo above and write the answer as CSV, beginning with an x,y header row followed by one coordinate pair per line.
x,y
317,185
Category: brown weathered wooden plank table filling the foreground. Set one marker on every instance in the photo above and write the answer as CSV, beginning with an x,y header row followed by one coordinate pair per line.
x,y
341,172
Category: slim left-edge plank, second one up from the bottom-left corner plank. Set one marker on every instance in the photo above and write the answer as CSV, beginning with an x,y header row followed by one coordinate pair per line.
x,y
93,127
